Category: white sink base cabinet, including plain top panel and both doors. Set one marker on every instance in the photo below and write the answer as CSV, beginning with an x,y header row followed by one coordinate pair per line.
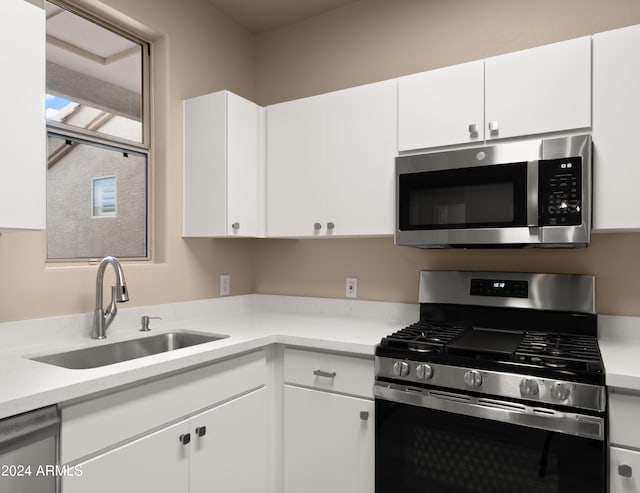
x,y
155,437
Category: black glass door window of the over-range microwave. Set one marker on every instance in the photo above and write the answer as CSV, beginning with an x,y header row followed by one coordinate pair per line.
x,y
480,197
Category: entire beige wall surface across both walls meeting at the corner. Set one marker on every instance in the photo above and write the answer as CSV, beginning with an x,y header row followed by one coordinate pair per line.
x,y
197,50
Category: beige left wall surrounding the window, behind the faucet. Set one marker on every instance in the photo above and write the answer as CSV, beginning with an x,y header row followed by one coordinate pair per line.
x,y
196,50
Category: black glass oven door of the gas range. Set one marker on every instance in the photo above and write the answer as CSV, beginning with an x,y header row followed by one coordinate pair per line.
x,y
420,449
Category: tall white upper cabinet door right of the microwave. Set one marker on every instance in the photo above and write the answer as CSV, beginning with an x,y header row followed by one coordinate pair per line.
x,y
616,126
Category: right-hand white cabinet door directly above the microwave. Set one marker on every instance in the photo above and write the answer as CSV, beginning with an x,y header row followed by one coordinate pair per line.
x,y
540,90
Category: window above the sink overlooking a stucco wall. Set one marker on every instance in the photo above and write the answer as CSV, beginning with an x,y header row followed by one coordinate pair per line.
x,y
98,152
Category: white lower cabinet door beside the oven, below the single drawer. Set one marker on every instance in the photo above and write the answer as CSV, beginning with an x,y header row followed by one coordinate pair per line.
x,y
328,445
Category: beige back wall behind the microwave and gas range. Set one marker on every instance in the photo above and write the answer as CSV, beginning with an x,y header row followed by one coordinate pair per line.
x,y
373,40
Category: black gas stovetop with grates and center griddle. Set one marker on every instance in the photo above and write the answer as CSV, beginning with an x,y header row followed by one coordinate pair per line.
x,y
574,357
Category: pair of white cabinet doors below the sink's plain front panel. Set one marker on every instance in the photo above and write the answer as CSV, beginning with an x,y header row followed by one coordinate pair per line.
x,y
210,452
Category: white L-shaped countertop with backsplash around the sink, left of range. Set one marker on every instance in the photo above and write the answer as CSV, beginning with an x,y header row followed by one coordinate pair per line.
x,y
250,323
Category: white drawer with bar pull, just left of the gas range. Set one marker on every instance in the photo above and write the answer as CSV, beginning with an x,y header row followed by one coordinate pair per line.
x,y
346,374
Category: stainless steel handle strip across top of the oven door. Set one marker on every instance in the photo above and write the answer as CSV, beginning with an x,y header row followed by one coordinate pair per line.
x,y
505,411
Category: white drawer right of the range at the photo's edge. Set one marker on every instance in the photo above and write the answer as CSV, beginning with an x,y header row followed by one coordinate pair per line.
x,y
624,410
